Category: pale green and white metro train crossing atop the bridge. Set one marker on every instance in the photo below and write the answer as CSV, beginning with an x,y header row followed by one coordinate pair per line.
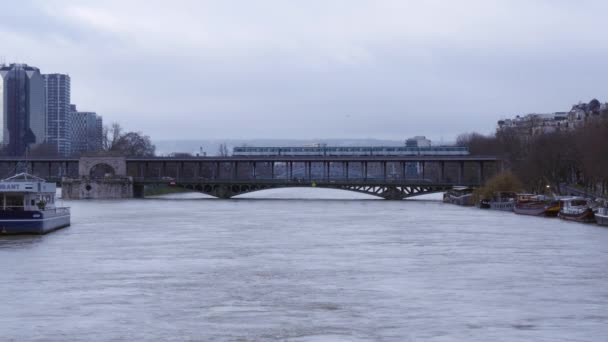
x,y
351,151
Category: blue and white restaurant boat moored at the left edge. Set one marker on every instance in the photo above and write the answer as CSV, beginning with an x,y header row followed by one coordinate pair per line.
x,y
27,206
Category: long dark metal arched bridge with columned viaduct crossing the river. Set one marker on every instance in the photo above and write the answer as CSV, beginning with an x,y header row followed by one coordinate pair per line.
x,y
389,177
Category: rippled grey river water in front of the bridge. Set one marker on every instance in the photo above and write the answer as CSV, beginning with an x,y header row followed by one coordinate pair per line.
x,y
342,268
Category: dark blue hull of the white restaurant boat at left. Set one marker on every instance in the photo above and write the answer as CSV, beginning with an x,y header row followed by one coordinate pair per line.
x,y
32,222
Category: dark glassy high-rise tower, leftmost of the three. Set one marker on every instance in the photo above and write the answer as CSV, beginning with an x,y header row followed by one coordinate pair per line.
x,y
22,108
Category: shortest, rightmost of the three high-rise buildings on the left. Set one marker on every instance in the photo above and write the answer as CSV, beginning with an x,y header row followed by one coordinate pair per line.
x,y
87,131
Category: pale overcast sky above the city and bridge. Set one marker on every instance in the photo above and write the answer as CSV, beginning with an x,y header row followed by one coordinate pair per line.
x,y
314,69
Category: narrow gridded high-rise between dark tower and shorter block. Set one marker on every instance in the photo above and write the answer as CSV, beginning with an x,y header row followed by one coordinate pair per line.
x,y
57,88
